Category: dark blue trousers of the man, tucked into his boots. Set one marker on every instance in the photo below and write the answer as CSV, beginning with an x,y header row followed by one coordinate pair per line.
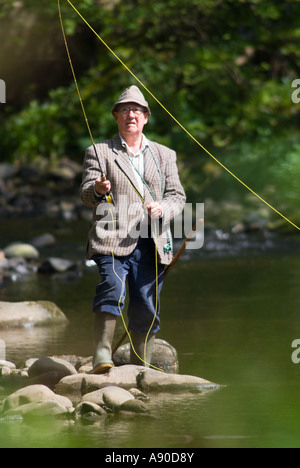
x,y
139,270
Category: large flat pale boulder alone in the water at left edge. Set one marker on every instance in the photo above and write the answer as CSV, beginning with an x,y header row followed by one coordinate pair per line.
x,y
26,314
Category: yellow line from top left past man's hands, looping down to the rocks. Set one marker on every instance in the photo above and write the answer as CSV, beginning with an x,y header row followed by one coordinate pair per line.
x,y
109,199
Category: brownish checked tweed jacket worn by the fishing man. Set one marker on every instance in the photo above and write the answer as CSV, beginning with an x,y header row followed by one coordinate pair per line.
x,y
117,228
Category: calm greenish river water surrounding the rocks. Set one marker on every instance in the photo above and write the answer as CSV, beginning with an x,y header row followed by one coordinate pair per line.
x,y
232,318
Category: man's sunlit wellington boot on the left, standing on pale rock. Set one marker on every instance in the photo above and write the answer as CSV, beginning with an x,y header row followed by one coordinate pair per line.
x,y
104,329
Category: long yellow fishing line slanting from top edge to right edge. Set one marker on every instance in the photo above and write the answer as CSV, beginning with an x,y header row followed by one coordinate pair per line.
x,y
182,126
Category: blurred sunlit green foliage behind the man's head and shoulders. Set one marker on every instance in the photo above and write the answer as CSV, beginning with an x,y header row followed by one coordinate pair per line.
x,y
224,68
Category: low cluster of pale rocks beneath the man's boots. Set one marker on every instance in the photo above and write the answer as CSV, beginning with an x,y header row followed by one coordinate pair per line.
x,y
63,387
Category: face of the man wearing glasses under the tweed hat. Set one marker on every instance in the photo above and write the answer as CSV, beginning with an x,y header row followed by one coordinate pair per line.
x,y
130,119
